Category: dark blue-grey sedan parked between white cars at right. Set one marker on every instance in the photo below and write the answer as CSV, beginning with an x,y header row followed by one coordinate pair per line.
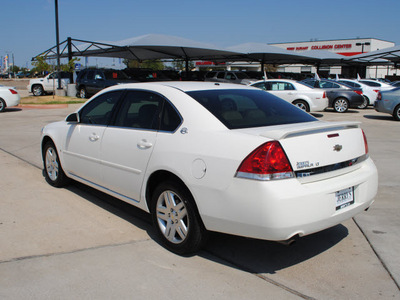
x,y
340,96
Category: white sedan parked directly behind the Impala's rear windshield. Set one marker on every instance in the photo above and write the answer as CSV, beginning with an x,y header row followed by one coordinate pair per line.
x,y
294,92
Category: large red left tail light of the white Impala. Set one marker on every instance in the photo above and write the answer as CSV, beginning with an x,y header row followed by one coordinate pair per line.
x,y
267,162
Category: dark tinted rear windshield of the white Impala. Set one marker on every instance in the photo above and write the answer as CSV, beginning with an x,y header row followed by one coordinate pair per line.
x,y
249,108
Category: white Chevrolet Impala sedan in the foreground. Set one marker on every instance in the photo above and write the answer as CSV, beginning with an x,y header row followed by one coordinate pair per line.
x,y
203,156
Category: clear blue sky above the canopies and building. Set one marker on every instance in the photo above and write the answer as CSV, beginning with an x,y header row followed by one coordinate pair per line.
x,y
28,26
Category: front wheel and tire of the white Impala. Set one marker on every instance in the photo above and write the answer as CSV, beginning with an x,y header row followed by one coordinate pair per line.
x,y
53,171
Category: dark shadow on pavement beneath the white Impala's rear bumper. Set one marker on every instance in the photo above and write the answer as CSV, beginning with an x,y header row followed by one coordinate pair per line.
x,y
259,256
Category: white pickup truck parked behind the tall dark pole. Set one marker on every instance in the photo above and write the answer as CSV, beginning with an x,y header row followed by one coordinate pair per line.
x,y
48,84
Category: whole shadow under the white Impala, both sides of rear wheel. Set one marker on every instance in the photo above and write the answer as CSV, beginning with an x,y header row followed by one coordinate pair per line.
x,y
246,254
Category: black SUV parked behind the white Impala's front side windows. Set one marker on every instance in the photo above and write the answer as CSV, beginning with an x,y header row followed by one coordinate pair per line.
x,y
91,81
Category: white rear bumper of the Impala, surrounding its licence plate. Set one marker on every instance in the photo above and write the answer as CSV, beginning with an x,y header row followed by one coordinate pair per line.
x,y
279,210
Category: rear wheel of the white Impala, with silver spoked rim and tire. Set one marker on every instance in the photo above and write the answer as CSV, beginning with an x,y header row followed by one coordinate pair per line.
x,y
176,219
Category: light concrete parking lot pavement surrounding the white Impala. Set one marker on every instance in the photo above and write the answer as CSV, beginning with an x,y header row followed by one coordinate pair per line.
x,y
79,243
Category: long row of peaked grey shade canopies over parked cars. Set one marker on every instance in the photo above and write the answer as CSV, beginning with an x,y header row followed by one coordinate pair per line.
x,y
157,46
